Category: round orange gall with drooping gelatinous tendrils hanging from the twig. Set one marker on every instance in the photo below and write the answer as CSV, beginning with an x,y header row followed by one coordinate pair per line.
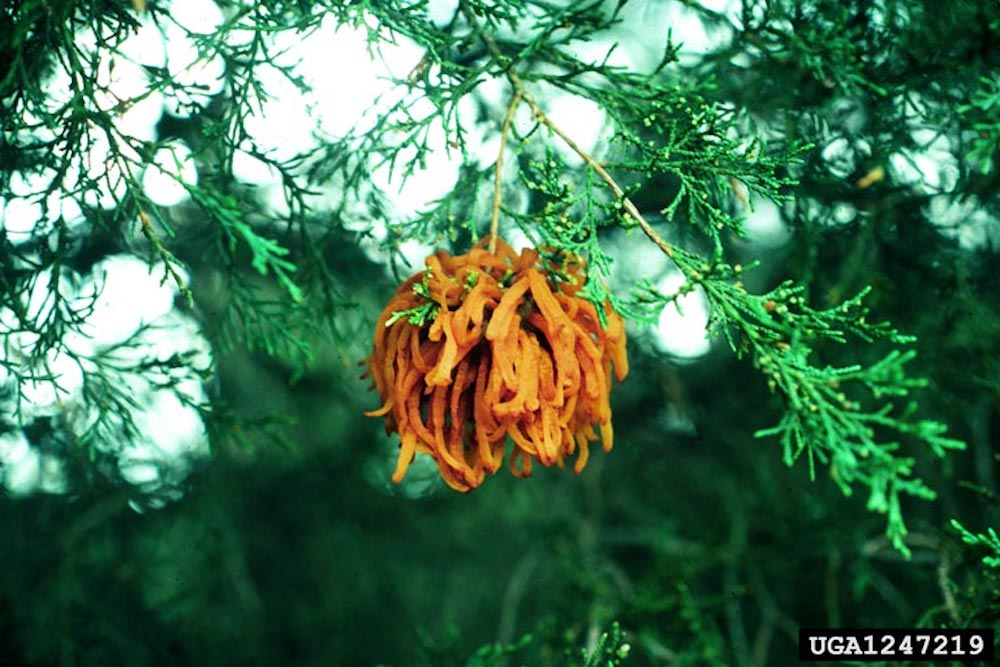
x,y
509,352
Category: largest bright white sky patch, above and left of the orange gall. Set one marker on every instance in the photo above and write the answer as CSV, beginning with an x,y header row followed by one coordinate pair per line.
x,y
350,86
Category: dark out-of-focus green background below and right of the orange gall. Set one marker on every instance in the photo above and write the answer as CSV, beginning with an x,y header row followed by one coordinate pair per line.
x,y
291,547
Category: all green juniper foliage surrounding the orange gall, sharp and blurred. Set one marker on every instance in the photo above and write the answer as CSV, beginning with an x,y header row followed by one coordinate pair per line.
x,y
863,349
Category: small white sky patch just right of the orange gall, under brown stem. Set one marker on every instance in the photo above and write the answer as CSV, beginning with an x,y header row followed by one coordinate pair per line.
x,y
682,330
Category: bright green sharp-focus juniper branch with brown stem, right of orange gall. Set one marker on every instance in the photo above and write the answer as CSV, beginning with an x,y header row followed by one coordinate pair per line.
x,y
778,329
